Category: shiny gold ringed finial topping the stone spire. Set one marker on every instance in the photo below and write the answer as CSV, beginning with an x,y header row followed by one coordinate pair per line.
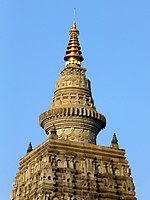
x,y
73,53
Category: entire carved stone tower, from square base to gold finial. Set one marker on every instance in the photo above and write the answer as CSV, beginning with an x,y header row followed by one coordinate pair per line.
x,y
69,165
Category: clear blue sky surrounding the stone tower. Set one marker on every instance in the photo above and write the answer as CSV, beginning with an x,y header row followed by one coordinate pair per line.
x,y
115,41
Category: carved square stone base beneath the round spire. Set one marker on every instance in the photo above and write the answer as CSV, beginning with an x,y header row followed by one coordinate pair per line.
x,y
62,169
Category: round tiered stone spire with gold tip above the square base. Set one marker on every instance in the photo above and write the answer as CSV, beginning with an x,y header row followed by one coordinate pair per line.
x,y
72,110
